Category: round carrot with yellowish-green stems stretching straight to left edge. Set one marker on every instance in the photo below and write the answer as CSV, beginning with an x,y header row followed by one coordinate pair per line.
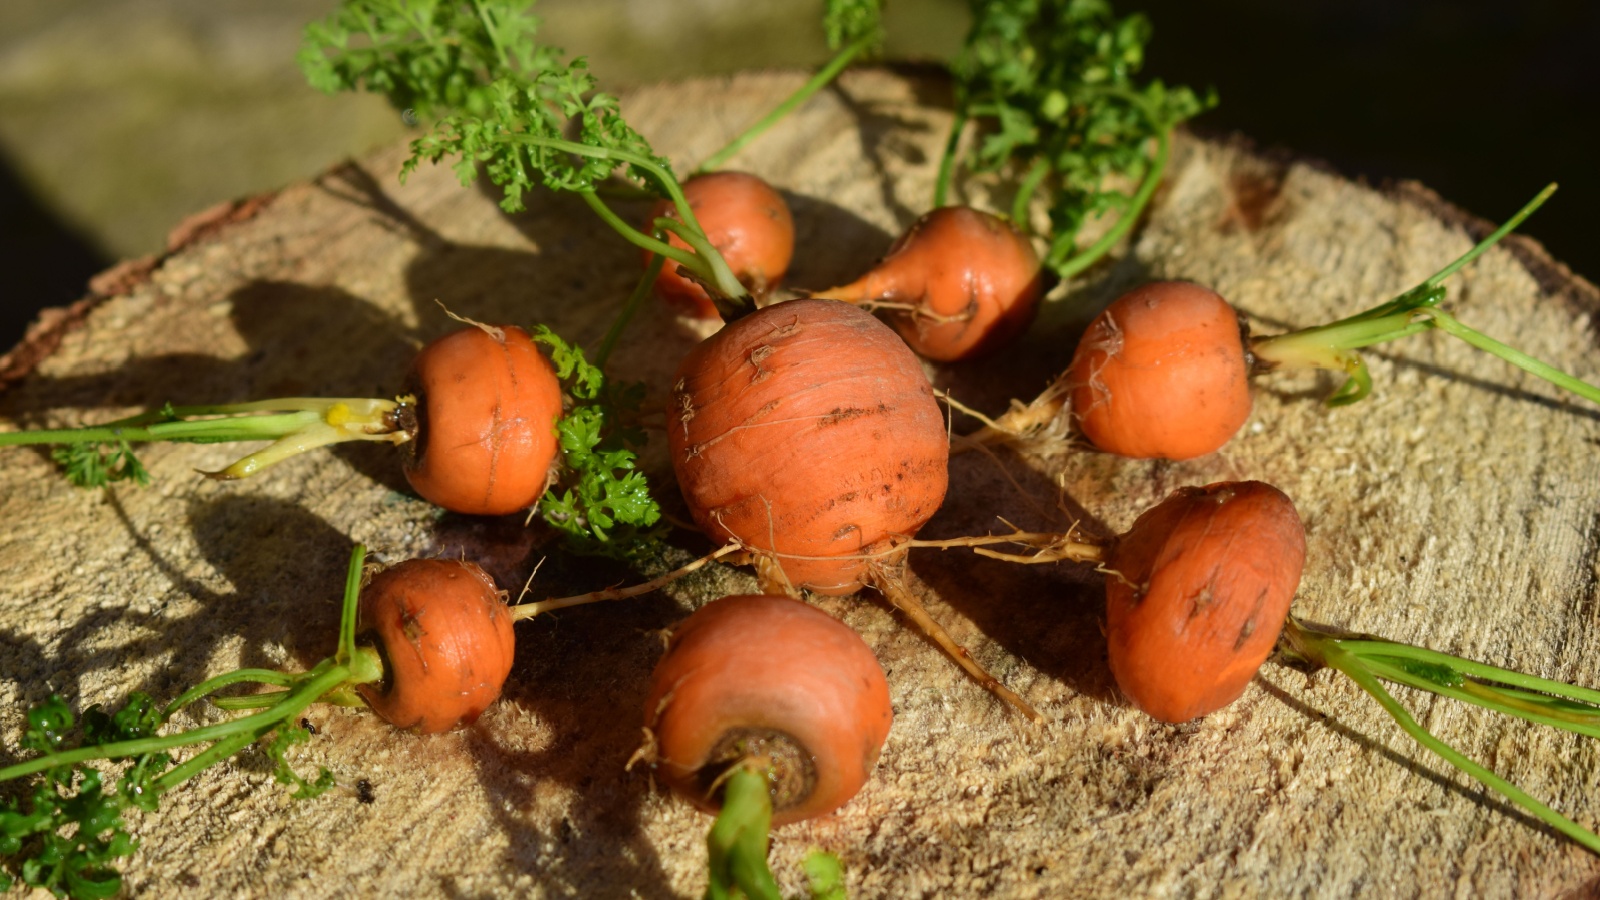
x,y
478,427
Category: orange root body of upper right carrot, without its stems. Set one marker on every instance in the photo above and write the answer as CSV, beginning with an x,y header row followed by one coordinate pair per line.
x,y
1162,374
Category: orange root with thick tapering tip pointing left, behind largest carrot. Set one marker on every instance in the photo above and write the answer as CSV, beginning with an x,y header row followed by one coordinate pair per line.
x,y
956,263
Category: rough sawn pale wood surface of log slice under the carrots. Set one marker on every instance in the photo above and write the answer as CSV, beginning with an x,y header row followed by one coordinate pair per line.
x,y
1458,508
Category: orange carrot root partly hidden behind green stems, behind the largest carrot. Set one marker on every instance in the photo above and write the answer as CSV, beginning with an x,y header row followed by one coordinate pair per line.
x,y
748,222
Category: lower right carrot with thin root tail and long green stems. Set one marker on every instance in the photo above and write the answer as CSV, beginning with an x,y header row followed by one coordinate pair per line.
x,y
1198,598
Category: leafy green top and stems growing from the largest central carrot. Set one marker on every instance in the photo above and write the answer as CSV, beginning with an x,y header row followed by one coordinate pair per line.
x,y
508,108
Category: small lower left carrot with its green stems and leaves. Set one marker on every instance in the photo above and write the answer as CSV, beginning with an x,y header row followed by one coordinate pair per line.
x,y
444,651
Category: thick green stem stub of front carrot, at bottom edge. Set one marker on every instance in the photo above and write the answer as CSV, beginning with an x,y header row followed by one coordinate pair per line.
x,y
738,840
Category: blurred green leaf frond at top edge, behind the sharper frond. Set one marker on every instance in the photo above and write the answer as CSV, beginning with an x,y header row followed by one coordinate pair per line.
x,y
431,57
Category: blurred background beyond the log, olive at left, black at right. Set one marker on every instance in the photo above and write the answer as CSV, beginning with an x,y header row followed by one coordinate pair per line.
x,y
118,118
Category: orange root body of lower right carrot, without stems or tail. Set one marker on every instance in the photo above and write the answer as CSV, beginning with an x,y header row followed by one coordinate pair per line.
x,y
1198,595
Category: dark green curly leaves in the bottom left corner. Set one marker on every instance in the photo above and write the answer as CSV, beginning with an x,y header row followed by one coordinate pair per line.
x,y
66,834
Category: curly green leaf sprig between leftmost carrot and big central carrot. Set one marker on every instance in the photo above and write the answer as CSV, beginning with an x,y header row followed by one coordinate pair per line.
x,y
606,505
